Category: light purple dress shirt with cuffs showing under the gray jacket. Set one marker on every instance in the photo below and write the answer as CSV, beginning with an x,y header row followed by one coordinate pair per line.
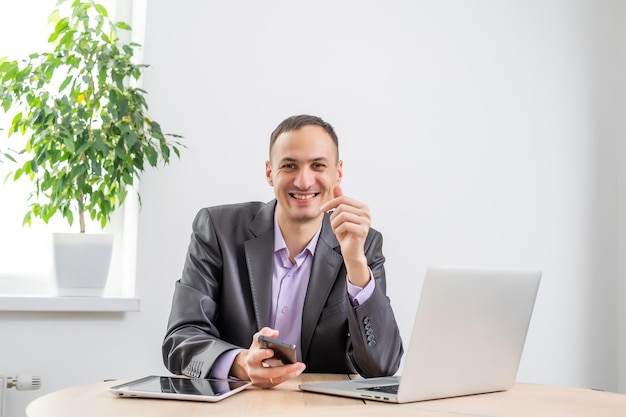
x,y
289,285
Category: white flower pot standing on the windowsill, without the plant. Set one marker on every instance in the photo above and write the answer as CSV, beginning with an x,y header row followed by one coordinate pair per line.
x,y
81,263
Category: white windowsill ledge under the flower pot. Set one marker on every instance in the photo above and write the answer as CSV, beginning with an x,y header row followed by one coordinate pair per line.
x,y
68,304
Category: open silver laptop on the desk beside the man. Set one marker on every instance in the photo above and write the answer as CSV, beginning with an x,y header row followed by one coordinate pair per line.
x,y
468,337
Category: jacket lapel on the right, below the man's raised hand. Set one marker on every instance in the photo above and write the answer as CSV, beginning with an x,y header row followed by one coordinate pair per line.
x,y
326,264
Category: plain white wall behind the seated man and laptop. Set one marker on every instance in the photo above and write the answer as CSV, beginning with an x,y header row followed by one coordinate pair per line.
x,y
483,132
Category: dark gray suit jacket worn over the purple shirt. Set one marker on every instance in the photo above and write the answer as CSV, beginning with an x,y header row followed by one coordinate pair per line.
x,y
225,293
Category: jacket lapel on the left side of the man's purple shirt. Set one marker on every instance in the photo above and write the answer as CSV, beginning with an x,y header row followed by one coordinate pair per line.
x,y
260,261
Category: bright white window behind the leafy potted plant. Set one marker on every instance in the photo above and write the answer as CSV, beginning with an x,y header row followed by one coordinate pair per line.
x,y
26,266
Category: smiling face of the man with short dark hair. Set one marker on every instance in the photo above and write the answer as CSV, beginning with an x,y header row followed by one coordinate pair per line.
x,y
303,169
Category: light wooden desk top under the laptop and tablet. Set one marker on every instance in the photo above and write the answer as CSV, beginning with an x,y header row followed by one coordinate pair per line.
x,y
523,400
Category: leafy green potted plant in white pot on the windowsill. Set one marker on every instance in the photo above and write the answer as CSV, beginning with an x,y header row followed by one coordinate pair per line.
x,y
82,124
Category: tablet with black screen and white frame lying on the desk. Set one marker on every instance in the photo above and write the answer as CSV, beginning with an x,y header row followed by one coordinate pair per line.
x,y
179,388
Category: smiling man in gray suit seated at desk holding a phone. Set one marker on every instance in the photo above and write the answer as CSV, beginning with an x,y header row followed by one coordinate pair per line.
x,y
305,268
